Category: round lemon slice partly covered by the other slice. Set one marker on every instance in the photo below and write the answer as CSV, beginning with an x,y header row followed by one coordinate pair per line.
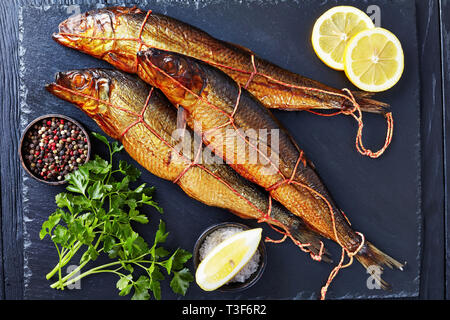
x,y
334,29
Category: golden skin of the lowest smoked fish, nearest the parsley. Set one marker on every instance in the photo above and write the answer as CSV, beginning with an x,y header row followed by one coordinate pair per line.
x,y
147,148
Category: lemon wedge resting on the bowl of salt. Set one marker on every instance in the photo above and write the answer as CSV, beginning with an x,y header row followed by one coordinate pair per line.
x,y
227,259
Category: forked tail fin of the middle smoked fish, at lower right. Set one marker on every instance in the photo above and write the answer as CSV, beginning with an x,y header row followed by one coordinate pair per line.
x,y
370,256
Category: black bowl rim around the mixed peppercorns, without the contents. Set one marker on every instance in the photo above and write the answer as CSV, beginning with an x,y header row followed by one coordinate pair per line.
x,y
24,137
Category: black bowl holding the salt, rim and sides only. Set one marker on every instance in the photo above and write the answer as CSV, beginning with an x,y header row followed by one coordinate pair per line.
x,y
234,286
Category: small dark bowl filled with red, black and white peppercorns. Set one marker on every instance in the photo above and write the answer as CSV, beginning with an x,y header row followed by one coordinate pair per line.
x,y
53,146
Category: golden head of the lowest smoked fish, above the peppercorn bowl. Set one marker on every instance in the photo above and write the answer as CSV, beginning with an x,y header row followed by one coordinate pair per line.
x,y
90,90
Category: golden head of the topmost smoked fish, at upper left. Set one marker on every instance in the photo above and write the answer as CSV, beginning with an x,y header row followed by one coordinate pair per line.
x,y
95,33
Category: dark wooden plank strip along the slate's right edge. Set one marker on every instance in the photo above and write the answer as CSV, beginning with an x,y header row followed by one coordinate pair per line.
x,y
432,281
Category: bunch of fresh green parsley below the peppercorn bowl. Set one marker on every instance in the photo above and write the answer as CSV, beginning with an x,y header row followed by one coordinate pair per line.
x,y
96,216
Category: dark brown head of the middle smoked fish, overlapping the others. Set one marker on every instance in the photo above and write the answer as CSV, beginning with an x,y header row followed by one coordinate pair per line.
x,y
179,77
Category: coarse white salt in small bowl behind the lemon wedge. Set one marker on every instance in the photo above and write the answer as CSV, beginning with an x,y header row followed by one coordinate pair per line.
x,y
220,235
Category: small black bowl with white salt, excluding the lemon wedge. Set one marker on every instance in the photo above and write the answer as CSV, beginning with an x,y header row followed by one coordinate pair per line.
x,y
218,233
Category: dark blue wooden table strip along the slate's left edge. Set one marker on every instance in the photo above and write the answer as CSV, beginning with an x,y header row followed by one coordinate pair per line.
x,y
11,222
